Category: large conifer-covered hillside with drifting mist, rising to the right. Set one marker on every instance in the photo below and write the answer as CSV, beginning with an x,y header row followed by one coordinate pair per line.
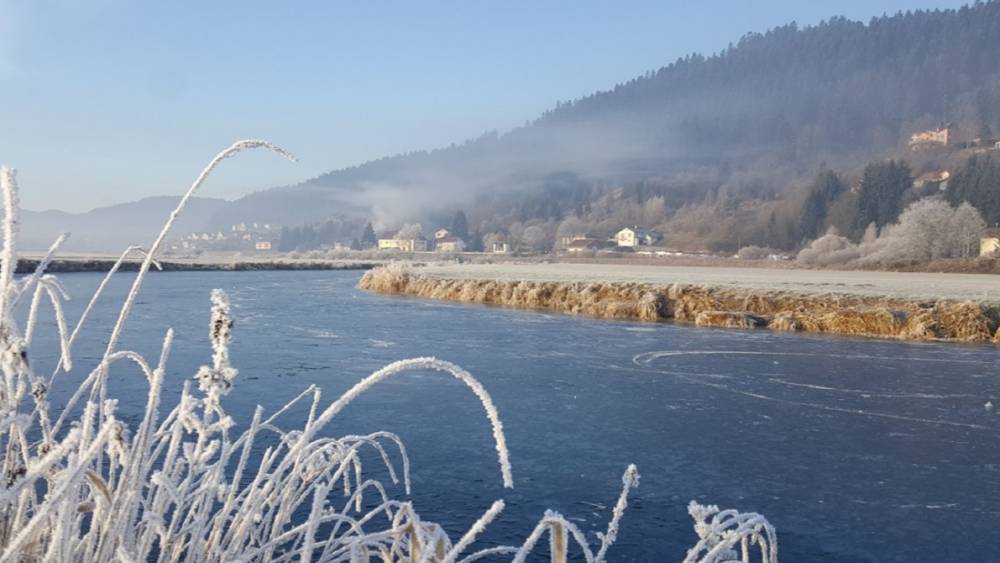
x,y
759,115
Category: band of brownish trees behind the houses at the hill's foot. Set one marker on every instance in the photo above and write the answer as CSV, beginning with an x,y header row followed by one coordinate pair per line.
x,y
725,216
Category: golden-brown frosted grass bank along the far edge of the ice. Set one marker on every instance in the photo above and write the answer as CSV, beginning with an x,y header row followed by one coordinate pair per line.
x,y
735,307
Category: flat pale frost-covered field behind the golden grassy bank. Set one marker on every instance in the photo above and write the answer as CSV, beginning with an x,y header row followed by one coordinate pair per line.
x,y
978,287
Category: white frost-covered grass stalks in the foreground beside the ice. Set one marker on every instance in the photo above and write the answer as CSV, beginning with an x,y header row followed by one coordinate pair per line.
x,y
185,484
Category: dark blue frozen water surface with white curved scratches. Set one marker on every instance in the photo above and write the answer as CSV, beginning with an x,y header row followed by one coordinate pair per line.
x,y
856,450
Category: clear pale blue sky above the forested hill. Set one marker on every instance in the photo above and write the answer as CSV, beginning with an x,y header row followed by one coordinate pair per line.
x,y
110,100
